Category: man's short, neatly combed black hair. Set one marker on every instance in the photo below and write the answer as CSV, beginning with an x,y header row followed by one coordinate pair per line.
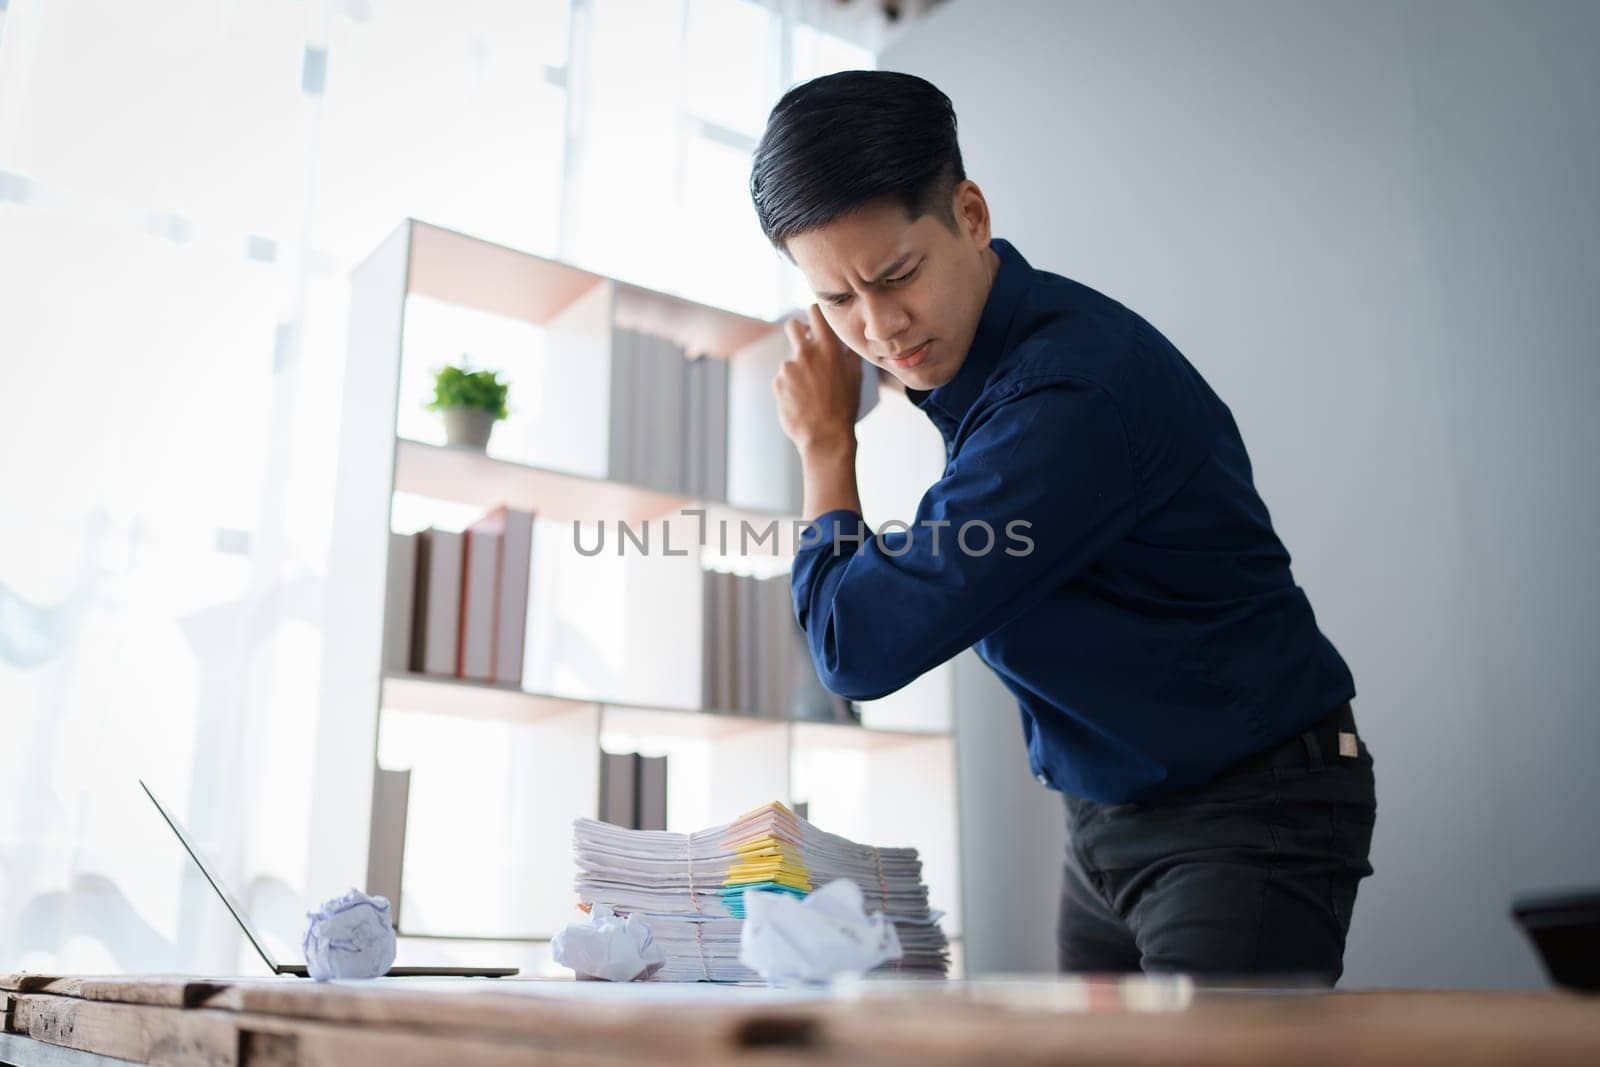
x,y
846,140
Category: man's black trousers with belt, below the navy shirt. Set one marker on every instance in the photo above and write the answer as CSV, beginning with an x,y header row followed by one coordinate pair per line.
x,y
1249,876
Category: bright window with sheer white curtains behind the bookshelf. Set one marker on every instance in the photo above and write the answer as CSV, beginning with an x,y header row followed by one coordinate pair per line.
x,y
183,191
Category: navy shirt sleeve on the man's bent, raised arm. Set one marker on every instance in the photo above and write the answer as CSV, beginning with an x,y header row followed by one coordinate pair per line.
x,y
1042,484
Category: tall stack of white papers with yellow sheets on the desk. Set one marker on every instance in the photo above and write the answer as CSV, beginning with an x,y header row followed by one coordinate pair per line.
x,y
690,887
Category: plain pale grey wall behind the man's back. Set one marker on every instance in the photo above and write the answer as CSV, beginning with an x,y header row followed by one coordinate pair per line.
x,y
1374,228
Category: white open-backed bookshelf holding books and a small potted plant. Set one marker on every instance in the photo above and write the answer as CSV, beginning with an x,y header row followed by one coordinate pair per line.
x,y
479,852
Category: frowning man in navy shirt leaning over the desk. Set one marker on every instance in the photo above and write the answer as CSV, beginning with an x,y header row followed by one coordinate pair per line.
x,y
1130,589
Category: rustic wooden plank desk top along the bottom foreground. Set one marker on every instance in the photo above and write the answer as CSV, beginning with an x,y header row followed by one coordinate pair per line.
x,y
479,1023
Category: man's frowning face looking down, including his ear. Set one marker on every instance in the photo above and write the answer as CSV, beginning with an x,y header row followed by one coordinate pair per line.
x,y
905,295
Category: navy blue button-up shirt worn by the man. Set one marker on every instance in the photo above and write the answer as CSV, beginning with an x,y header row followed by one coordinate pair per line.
x,y
1134,594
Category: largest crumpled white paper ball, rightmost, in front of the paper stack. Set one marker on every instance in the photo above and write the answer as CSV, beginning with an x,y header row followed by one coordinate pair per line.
x,y
793,941
